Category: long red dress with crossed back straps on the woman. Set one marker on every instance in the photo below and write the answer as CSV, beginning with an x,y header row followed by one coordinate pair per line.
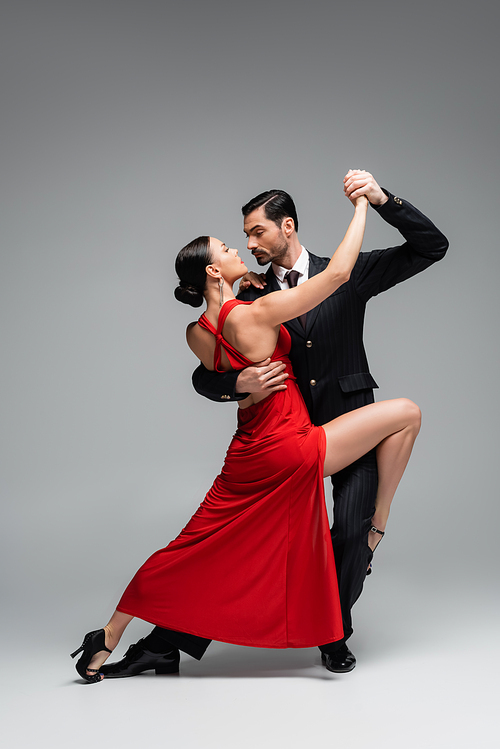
x,y
254,565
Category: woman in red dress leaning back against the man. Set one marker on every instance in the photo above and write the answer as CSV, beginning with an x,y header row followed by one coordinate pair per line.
x,y
261,534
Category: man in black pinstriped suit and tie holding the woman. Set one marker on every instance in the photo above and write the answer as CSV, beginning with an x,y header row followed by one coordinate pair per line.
x,y
331,368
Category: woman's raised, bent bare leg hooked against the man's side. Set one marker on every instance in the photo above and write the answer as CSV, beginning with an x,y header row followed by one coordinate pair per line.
x,y
392,426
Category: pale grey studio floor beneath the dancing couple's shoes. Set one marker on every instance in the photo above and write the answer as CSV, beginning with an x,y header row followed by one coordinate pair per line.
x,y
427,676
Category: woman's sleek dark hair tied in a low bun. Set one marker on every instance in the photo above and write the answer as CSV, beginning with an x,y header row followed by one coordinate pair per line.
x,y
190,266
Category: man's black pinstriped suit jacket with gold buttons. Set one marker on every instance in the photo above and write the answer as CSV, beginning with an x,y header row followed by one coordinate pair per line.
x,y
328,357
